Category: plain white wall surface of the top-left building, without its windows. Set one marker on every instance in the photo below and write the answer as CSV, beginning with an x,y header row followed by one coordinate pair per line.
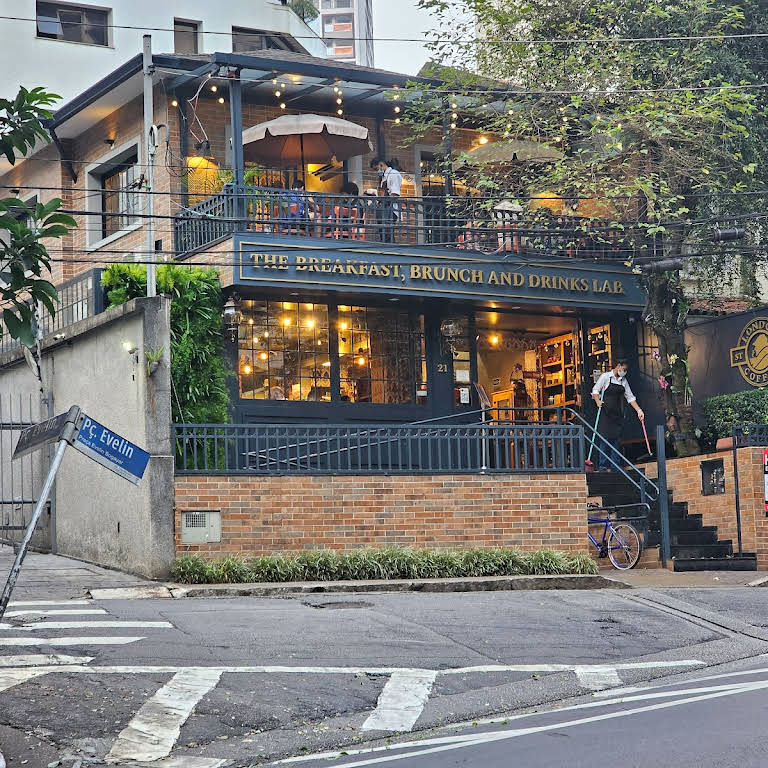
x,y
68,68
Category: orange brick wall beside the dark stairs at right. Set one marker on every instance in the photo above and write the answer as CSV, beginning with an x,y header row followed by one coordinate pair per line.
x,y
684,480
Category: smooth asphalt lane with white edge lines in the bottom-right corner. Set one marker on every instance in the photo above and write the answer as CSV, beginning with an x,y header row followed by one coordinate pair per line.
x,y
711,721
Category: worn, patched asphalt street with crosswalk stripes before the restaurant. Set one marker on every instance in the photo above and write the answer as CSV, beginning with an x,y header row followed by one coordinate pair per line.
x,y
247,681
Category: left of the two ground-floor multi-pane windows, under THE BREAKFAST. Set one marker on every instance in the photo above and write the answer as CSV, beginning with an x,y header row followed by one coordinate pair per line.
x,y
283,351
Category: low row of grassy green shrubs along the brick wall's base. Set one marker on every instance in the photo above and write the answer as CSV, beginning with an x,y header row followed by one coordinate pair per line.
x,y
389,563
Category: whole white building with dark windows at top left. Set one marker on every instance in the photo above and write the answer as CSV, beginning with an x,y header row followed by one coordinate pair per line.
x,y
66,46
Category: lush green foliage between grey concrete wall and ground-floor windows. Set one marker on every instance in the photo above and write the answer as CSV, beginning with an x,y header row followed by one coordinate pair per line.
x,y
199,372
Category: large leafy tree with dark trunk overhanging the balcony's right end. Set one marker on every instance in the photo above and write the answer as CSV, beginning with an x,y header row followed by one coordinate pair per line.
x,y
658,136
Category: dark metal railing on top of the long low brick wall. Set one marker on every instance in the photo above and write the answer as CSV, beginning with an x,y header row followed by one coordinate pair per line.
x,y
302,449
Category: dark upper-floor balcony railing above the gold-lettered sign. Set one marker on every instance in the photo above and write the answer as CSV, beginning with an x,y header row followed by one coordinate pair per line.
x,y
457,222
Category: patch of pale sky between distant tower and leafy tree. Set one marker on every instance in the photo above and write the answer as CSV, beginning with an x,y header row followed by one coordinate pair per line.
x,y
399,18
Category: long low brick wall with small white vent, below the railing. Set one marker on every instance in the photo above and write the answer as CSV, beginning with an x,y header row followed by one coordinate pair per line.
x,y
262,515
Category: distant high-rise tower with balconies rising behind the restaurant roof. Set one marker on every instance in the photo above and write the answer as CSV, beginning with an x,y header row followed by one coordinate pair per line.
x,y
347,29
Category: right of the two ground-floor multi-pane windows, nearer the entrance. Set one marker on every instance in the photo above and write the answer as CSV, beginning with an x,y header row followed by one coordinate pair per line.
x,y
381,356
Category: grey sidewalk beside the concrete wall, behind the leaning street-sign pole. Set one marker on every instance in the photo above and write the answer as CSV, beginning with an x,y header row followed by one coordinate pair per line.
x,y
52,577
